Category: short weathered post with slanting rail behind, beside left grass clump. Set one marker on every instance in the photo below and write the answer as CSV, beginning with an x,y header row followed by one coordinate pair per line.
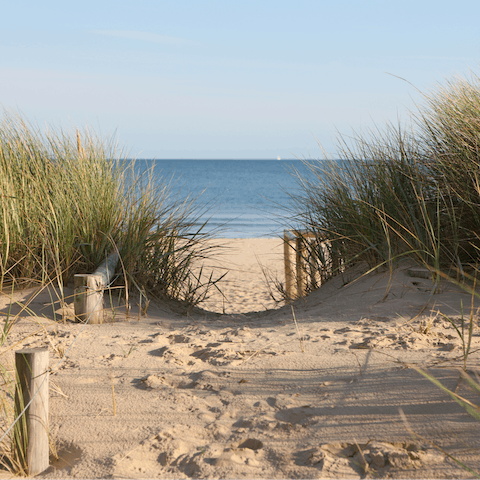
x,y
88,290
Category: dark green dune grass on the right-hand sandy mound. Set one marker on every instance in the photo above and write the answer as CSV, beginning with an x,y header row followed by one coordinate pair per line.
x,y
406,192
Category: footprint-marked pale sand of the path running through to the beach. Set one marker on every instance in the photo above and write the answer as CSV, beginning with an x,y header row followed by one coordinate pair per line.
x,y
251,395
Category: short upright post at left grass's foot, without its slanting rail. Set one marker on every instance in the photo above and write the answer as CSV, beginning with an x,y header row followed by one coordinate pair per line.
x,y
88,297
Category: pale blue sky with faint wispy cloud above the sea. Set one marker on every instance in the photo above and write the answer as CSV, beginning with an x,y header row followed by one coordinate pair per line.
x,y
230,79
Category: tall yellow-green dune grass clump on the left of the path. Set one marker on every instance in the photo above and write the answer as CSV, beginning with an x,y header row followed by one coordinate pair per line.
x,y
68,199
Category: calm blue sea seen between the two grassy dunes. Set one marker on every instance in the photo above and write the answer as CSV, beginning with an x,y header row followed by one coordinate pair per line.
x,y
249,197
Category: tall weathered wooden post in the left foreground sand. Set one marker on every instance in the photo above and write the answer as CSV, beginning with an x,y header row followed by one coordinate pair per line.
x,y
31,431
